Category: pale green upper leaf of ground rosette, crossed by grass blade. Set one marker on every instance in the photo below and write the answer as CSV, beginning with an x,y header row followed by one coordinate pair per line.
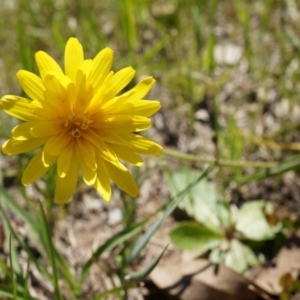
x,y
203,202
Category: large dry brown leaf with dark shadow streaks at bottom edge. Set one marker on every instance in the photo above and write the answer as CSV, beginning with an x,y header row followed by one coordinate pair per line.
x,y
201,280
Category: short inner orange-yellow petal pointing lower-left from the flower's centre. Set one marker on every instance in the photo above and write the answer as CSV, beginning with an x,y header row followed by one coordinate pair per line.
x,y
58,143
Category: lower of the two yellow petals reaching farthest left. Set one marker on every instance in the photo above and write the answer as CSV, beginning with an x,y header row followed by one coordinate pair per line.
x,y
13,146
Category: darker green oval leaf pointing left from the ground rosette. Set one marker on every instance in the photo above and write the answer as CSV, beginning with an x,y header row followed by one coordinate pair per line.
x,y
195,237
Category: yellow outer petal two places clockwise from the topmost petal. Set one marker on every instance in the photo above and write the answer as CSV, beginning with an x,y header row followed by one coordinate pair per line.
x,y
118,81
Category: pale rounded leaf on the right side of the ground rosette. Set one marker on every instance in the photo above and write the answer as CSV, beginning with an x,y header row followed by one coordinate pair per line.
x,y
252,223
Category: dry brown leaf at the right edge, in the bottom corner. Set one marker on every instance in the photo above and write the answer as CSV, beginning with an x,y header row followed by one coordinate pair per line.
x,y
287,261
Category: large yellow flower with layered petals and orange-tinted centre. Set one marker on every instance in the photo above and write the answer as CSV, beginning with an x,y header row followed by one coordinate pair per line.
x,y
81,122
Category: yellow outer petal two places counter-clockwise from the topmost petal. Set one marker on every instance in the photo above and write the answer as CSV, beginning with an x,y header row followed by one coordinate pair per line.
x,y
32,85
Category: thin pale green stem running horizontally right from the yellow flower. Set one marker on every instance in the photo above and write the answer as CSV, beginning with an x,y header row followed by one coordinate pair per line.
x,y
220,162
